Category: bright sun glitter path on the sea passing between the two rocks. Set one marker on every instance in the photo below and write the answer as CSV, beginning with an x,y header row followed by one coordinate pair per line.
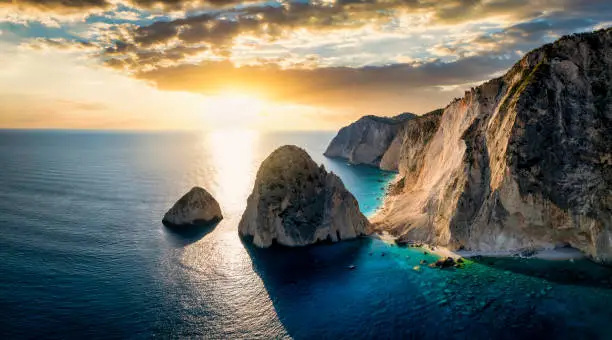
x,y
217,269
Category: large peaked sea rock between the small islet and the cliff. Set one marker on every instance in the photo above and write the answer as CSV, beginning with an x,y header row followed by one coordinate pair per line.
x,y
295,202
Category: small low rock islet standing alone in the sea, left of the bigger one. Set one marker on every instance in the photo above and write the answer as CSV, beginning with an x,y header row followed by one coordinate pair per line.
x,y
197,207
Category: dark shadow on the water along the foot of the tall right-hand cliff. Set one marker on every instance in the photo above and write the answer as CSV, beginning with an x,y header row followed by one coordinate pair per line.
x,y
581,272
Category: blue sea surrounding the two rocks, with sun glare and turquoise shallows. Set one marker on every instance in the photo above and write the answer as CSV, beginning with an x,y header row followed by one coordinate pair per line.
x,y
83,254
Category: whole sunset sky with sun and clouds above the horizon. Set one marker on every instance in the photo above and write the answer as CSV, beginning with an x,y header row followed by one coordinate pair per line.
x,y
288,65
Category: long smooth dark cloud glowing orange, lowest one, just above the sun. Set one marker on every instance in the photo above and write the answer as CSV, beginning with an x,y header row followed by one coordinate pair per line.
x,y
337,86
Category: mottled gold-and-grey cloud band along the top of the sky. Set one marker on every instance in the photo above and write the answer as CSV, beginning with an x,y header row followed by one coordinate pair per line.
x,y
272,21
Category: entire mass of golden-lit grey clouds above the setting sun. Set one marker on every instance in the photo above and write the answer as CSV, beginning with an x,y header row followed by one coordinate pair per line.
x,y
358,53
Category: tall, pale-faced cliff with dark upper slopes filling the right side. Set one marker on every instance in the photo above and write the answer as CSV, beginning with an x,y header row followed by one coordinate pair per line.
x,y
522,161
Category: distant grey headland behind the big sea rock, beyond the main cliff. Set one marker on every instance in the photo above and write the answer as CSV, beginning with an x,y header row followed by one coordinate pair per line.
x,y
367,140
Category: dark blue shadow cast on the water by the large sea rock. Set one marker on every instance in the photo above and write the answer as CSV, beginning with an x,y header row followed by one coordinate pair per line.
x,y
307,285
